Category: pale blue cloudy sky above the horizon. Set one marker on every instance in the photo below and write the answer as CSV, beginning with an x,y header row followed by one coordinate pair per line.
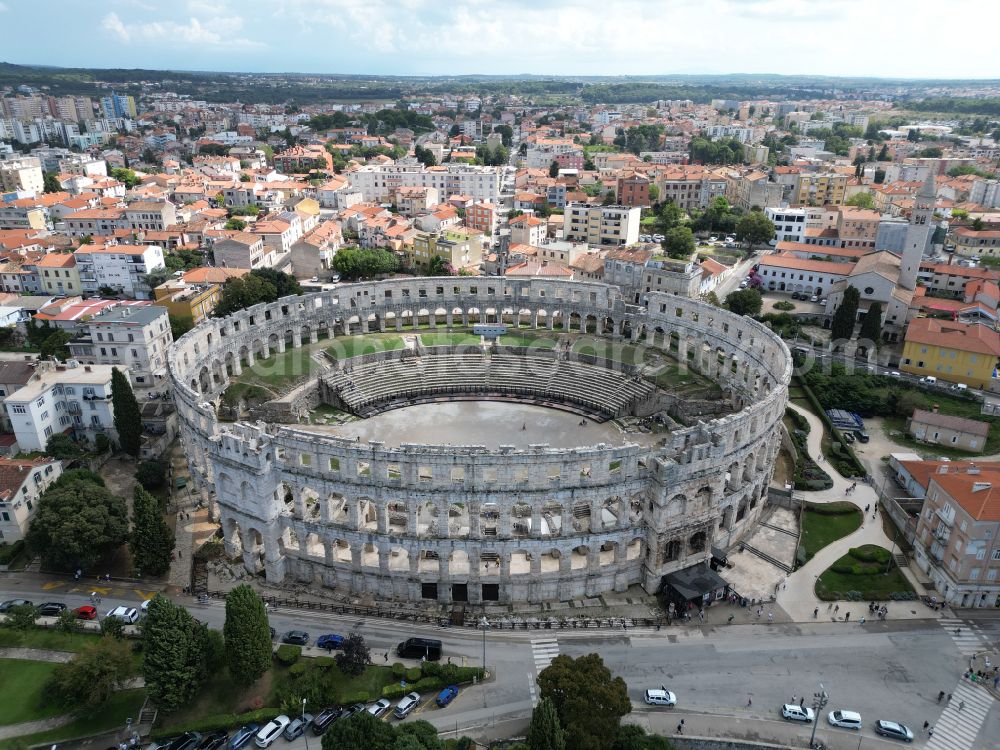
x,y
913,39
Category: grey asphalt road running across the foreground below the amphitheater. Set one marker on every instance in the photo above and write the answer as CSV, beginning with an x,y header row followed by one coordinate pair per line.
x,y
892,670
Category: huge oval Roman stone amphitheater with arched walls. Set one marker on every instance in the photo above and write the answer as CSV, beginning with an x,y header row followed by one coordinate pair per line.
x,y
464,469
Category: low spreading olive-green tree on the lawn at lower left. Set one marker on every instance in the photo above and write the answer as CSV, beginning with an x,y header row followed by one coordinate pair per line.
x,y
92,675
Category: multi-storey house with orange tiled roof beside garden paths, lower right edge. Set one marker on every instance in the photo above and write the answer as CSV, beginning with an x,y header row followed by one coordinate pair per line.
x,y
957,540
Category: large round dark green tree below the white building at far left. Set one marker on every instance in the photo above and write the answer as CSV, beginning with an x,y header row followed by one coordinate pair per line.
x,y
78,521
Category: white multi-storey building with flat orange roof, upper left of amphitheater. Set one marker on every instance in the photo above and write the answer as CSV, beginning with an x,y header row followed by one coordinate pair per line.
x,y
120,268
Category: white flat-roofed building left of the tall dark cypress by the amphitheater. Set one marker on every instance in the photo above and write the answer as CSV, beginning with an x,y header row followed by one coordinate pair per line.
x,y
62,398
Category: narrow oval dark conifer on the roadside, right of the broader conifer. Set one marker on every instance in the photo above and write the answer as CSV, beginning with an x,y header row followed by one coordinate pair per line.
x,y
247,635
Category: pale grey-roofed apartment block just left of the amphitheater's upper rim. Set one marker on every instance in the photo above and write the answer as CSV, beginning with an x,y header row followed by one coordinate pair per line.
x,y
133,338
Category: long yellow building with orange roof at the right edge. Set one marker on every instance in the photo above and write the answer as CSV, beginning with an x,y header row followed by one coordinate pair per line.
x,y
950,351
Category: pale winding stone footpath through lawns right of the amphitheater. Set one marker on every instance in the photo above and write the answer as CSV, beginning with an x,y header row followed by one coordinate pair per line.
x,y
797,596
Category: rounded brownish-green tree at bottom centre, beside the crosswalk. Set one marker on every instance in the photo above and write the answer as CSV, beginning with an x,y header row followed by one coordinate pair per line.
x,y
589,701
